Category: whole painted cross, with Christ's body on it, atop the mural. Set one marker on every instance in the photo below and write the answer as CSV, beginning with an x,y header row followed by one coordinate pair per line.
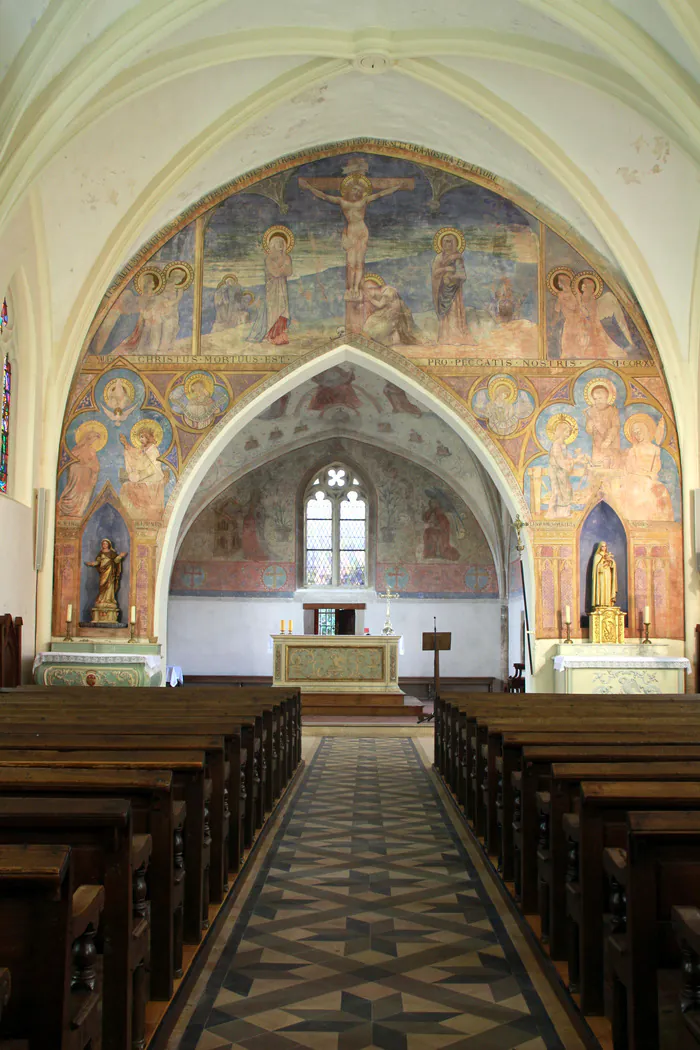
x,y
355,193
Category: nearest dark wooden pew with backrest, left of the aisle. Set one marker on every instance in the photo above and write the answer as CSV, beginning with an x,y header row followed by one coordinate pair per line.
x,y
56,997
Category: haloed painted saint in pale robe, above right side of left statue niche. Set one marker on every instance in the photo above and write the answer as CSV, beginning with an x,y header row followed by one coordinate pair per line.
x,y
143,478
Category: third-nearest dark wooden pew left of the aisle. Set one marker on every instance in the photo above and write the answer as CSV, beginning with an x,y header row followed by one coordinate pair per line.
x,y
156,813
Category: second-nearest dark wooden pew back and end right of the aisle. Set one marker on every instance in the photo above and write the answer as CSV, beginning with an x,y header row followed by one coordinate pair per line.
x,y
601,823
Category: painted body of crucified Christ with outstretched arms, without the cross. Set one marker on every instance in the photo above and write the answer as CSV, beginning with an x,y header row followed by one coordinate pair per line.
x,y
355,196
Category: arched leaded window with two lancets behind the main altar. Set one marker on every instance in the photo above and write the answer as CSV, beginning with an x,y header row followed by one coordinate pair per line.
x,y
336,530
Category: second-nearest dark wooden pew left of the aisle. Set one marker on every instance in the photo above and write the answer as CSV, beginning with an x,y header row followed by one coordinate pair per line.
x,y
105,852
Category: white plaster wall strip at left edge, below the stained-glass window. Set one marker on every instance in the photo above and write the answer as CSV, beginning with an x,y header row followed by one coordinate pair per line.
x,y
18,583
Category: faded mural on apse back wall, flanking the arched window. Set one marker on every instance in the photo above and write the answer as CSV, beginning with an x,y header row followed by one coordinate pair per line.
x,y
246,542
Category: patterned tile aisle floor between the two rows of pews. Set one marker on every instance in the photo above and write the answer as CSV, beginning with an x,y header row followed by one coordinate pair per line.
x,y
370,926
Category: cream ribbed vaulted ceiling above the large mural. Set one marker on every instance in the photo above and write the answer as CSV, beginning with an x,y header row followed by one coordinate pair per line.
x,y
116,116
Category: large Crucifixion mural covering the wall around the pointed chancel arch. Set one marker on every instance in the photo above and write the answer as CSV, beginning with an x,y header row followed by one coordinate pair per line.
x,y
440,268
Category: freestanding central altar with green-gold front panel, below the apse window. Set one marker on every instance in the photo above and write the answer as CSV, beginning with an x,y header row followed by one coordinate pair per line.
x,y
338,663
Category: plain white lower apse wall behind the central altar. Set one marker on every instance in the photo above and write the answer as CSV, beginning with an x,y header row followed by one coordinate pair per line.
x,y
230,636
